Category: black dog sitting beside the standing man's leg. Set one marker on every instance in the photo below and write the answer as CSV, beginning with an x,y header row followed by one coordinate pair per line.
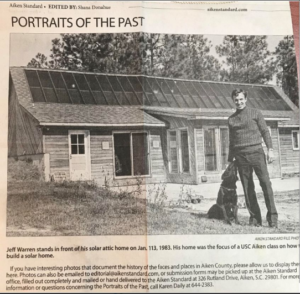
x,y
226,207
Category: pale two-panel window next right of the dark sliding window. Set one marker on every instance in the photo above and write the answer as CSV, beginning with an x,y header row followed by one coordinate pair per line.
x,y
179,157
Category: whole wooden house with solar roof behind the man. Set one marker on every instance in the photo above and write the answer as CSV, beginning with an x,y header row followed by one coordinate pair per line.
x,y
120,128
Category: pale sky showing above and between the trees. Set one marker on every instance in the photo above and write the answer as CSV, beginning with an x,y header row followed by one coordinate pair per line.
x,y
23,47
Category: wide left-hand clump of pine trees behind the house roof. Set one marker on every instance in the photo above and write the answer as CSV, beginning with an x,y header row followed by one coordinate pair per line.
x,y
181,56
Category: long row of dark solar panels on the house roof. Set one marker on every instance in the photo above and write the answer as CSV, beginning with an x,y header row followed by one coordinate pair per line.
x,y
89,88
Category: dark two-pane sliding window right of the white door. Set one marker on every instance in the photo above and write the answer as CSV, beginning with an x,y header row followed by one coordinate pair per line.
x,y
131,154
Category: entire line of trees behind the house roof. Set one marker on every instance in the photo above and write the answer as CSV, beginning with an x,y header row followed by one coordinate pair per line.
x,y
243,59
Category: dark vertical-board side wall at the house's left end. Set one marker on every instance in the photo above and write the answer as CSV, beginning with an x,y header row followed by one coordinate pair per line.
x,y
24,135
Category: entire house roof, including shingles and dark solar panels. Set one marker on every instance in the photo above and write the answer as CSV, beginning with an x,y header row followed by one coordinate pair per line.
x,y
69,97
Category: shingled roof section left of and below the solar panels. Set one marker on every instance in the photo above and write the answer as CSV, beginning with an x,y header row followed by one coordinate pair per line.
x,y
78,114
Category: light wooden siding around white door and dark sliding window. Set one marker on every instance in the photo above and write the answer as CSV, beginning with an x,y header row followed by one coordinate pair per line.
x,y
102,160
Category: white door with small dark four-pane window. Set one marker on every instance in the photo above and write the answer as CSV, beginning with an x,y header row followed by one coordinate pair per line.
x,y
79,154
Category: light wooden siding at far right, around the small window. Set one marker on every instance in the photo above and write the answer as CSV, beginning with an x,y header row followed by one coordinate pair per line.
x,y
289,157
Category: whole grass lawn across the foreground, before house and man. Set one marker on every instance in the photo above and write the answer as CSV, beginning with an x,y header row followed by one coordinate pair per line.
x,y
37,208
